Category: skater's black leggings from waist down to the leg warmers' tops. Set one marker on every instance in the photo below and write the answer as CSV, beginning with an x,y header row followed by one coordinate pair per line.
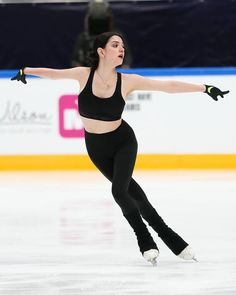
x,y
114,154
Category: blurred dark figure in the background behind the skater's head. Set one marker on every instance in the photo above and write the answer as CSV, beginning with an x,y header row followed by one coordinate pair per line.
x,y
98,19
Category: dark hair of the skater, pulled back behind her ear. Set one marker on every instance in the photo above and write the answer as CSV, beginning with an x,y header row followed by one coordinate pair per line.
x,y
100,41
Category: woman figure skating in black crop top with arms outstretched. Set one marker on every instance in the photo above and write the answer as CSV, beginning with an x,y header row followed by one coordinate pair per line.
x,y
111,142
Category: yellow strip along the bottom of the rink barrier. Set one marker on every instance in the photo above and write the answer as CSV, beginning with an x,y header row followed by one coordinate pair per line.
x,y
149,162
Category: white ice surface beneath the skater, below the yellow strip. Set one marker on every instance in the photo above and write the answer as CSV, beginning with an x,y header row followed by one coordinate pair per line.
x,y
61,233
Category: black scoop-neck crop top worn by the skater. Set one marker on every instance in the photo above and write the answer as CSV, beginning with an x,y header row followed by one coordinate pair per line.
x,y
105,109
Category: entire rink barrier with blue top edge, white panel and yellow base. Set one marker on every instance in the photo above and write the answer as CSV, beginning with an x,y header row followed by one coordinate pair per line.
x,y
40,127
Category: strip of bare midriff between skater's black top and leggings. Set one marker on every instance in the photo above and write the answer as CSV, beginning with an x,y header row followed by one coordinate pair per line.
x,y
98,126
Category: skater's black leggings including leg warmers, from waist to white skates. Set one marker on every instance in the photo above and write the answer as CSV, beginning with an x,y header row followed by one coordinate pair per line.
x,y
114,154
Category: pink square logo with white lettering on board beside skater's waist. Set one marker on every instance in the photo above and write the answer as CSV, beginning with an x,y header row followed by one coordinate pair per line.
x,y
70,124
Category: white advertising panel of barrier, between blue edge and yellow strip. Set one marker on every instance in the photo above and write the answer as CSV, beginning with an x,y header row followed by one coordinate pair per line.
x,y
41,118
